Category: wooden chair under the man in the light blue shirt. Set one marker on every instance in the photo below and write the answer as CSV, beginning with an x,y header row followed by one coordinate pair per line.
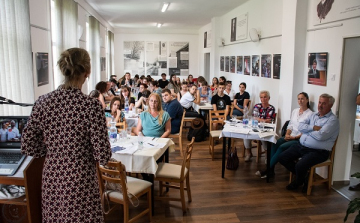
x,y
314,178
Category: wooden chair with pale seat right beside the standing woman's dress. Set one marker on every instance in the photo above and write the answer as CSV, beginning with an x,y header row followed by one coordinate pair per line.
x,y
129,186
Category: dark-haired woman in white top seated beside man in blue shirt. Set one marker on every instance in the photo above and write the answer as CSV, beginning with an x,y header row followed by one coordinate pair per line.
x,y
292,135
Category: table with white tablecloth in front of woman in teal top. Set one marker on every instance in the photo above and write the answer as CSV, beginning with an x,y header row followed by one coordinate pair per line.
x,y
144,161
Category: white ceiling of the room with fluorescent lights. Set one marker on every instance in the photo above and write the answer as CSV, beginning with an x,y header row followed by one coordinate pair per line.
x,y
145,14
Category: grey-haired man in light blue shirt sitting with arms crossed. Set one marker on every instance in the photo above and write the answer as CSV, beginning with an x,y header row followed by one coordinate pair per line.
x,y
319,132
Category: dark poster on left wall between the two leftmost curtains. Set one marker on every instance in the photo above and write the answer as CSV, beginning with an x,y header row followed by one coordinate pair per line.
x,y
42,68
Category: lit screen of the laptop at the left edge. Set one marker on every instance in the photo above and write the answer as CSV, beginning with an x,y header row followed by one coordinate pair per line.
x,y
11,130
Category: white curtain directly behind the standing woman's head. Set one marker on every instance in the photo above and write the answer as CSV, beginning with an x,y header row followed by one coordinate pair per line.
x,y
64,32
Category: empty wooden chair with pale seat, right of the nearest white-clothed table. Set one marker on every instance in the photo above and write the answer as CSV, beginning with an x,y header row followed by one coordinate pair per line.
x,y
172,173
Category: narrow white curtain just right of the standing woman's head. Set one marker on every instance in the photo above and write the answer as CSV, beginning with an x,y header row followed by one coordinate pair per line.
x,y
94,50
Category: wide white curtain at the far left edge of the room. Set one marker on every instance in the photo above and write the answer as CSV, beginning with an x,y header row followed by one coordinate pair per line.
x,y
16,78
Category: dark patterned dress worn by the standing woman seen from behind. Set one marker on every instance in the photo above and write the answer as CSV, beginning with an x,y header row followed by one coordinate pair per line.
x,y
69,128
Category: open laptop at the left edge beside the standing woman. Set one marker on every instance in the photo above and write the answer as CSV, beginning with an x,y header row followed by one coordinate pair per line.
x,y
11,128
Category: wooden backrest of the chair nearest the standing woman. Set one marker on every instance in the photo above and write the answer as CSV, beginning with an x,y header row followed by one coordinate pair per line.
x,y
114,173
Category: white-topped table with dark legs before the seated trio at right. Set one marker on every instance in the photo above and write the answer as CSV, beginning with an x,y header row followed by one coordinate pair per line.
x,y
240,132
